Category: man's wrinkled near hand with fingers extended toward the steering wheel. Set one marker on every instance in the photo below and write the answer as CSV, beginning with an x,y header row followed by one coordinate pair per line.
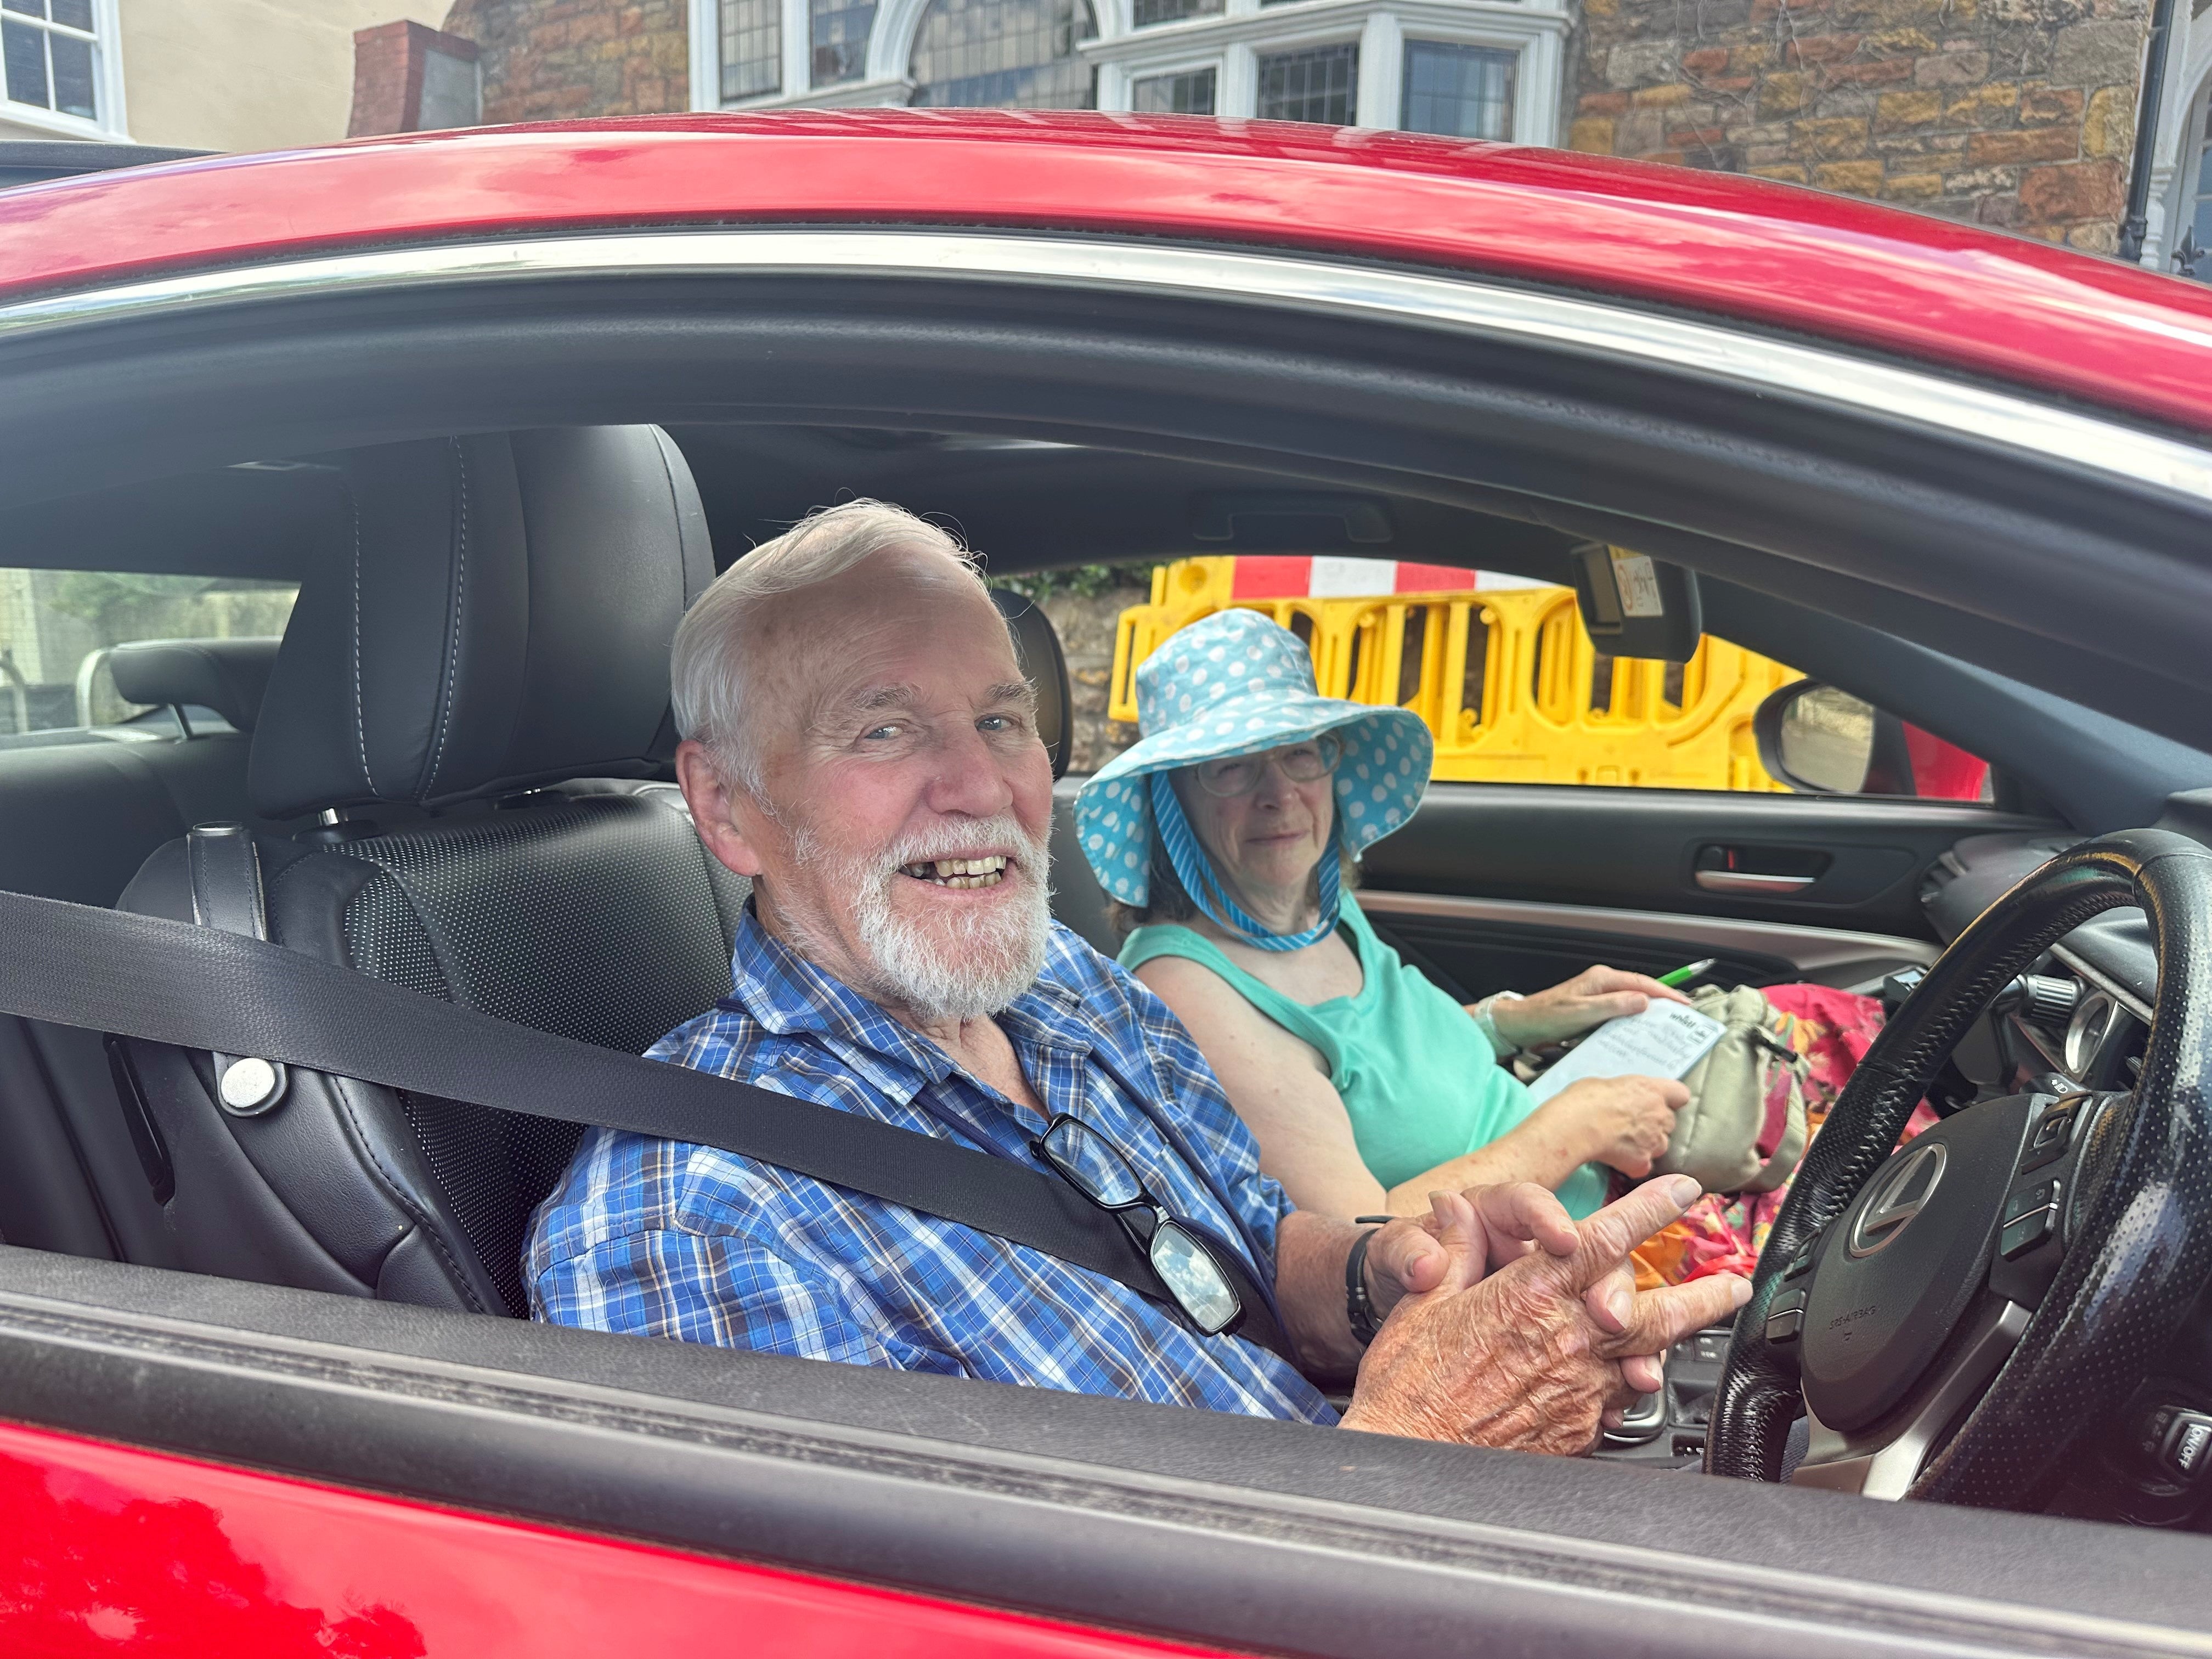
x,y
1538,1353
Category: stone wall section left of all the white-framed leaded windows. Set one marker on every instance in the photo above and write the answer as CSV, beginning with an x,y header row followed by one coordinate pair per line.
x,y
552,61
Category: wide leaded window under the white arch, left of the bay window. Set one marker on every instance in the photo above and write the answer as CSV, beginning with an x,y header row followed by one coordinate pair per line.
x,y
1005,54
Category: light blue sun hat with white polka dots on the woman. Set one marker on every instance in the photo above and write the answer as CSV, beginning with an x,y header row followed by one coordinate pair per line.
x,y
1238,685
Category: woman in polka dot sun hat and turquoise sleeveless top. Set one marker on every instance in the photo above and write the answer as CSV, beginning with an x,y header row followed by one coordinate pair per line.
x,y
1224,839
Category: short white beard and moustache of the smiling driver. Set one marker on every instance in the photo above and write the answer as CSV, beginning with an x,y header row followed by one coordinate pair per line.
x,y
957,968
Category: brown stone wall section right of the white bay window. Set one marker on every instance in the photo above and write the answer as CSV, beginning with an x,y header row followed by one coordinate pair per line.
x,y
2014,114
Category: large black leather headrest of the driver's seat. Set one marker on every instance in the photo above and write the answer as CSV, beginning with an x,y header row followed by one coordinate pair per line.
x,y
497,616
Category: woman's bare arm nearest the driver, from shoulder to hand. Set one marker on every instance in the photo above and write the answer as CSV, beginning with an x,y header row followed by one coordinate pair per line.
x,y
1284,1096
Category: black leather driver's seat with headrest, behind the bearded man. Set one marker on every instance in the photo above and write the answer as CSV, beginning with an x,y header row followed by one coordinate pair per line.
x,y
503,627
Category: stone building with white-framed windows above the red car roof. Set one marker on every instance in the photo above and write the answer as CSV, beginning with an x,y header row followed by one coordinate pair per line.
x,y
2010,114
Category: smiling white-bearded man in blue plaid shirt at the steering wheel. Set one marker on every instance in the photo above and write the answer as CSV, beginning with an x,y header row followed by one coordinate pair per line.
x,y
862,744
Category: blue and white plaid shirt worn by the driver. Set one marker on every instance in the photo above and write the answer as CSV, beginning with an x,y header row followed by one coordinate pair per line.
x,y
671,1240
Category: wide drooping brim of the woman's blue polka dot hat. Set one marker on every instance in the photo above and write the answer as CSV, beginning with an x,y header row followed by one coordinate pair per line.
x,y
1379,784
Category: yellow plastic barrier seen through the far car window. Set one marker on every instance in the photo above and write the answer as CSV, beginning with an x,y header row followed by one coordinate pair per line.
x,y
1507,682
